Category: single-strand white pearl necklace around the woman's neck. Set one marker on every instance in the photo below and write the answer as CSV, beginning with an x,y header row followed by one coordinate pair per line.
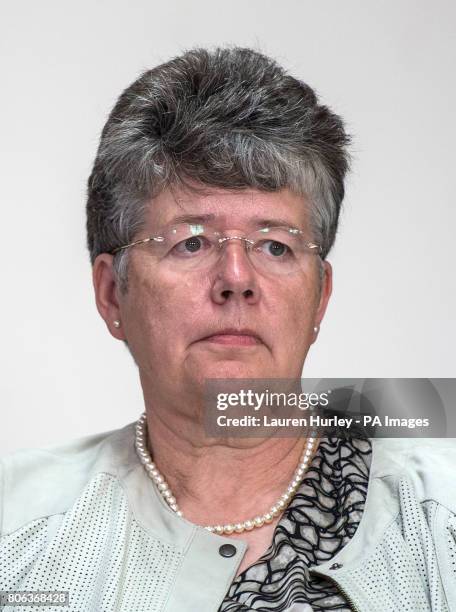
x,y
248,525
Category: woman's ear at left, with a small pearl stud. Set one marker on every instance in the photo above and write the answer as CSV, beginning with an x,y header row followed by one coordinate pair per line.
x,y
106,293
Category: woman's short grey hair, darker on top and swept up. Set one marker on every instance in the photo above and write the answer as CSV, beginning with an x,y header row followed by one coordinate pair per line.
x,y
229,118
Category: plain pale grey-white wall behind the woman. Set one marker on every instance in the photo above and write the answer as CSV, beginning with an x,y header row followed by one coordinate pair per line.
x,y
388,67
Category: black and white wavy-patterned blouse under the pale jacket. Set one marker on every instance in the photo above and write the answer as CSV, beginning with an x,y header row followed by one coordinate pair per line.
x,y
321,518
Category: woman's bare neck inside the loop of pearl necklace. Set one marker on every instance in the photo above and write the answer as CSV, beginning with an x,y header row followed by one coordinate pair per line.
x,y
219,481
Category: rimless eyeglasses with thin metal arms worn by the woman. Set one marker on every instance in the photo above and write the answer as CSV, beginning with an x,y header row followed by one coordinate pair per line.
x,y
195,246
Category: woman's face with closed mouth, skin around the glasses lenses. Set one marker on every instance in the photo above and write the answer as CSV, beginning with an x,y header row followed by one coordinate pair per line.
x,y
177,323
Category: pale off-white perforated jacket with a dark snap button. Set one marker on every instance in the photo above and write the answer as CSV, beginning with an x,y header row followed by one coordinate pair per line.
x,y
85,518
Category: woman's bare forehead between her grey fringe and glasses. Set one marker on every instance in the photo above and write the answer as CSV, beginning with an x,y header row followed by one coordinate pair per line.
x,y
233,209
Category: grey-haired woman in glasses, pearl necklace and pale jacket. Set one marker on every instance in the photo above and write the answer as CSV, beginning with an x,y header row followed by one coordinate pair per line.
x,y
212,205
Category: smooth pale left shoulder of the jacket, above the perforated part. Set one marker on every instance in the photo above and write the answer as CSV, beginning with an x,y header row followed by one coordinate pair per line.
x,y
40,482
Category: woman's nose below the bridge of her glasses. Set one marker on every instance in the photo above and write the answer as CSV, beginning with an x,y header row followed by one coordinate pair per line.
x,y
235,277
